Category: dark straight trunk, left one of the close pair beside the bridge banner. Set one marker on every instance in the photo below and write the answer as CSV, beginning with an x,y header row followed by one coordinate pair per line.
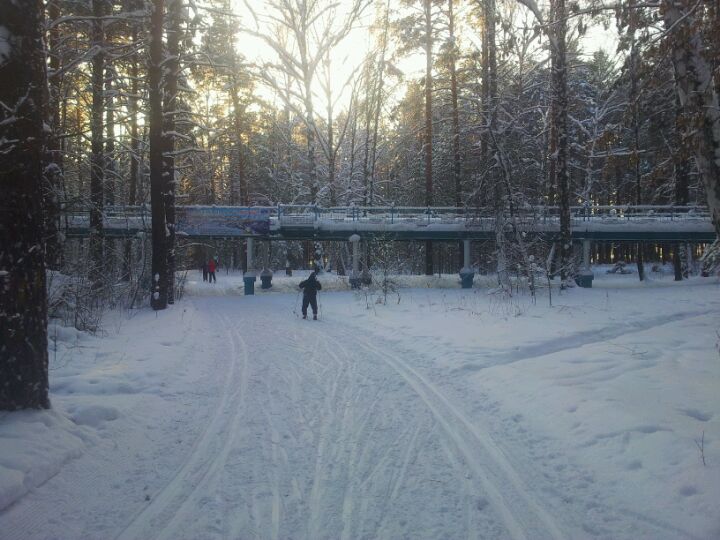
x,y
158,185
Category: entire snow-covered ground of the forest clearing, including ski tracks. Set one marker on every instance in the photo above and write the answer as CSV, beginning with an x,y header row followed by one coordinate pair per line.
x,y
447,414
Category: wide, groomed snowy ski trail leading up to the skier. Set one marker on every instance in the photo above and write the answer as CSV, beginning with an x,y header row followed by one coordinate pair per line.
x,y
321,434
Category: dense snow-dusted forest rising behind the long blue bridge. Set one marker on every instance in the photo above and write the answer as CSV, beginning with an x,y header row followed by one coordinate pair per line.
x,y
500,104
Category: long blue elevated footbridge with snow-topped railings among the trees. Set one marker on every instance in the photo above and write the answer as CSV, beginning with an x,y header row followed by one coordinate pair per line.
x,y
298,222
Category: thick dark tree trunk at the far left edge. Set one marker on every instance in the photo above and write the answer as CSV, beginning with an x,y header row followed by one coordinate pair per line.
x,y
23,160
